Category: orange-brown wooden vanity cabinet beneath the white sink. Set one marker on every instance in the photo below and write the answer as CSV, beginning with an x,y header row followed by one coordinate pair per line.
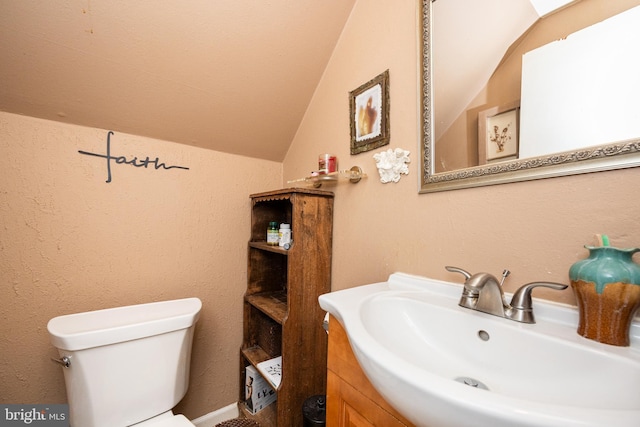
x,y
352,401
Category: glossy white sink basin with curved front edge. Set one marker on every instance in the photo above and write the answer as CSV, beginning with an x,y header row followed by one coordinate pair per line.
x,y
439,364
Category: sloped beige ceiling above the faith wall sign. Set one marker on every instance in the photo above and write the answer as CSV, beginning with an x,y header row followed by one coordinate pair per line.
x,y
230,75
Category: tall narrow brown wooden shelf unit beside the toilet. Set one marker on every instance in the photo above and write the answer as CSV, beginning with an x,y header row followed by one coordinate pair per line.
x,y
281,312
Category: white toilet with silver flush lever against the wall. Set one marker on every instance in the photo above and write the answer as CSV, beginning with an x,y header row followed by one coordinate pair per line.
x,y
127,365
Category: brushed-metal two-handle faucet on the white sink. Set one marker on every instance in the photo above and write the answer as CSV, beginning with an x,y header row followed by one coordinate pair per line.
x,y
482,292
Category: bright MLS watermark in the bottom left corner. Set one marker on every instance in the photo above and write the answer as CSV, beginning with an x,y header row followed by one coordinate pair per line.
x,y
34,415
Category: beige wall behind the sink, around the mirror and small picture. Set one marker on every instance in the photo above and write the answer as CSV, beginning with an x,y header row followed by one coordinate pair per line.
x,y
536,229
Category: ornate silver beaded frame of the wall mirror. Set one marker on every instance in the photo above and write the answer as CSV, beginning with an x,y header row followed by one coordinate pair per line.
x,y
622,154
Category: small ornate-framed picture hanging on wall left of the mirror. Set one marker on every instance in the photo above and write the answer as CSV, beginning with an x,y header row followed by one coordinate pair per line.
x,y
369,114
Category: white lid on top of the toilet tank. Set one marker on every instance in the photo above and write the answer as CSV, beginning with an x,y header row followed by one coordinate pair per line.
x,y
103,327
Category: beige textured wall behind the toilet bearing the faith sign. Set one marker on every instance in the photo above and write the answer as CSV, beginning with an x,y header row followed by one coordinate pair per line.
x,y
69,242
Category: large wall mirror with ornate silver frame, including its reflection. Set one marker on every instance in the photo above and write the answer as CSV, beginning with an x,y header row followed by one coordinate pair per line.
x,y
486,128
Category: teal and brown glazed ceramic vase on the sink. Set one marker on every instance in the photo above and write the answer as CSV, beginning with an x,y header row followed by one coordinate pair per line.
x,y
607,290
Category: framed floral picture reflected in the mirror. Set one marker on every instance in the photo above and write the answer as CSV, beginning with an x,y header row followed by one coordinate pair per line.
x,y
498,133
